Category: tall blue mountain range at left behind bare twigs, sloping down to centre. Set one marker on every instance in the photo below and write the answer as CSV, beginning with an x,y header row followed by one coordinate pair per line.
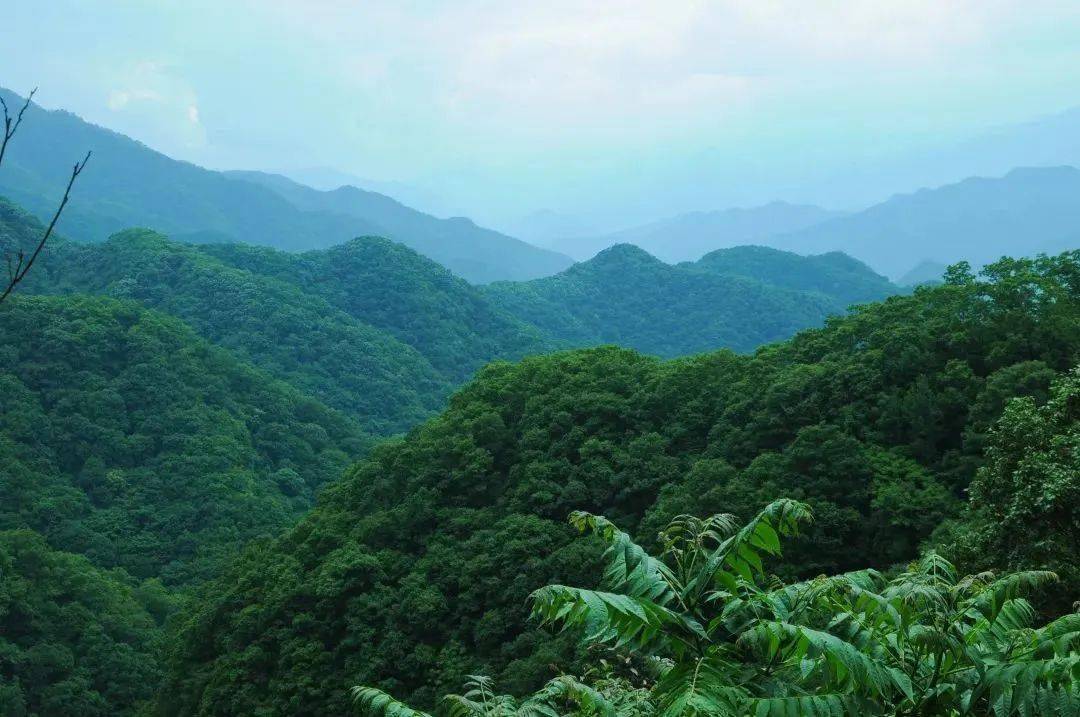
x,y
130,185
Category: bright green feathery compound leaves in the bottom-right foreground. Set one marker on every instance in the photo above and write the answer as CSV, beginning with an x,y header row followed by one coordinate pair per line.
x,y
717,635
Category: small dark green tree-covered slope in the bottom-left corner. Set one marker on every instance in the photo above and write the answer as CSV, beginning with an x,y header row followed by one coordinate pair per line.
x,y
75,640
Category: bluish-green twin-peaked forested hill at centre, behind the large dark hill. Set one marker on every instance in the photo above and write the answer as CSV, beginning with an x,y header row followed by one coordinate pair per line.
x,y
626,296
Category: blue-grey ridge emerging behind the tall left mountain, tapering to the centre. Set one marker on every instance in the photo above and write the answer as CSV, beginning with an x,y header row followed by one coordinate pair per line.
x,y
478,254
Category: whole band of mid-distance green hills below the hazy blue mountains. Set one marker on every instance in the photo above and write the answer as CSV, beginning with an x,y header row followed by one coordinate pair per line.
x,y
384,334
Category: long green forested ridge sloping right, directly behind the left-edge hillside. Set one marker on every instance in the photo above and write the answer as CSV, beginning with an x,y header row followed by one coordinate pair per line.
x,y
296,337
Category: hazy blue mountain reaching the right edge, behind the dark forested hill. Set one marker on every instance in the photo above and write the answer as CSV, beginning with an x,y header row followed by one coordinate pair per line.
x,y
979,220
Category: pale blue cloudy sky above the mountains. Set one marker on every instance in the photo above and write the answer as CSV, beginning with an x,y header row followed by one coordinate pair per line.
x,y
609,113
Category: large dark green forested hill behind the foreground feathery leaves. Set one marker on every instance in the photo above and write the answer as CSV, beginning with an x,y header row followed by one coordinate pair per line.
x,y
413,571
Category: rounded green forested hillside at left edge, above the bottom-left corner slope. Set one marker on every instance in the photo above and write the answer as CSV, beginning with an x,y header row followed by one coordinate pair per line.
x,y
127,439
